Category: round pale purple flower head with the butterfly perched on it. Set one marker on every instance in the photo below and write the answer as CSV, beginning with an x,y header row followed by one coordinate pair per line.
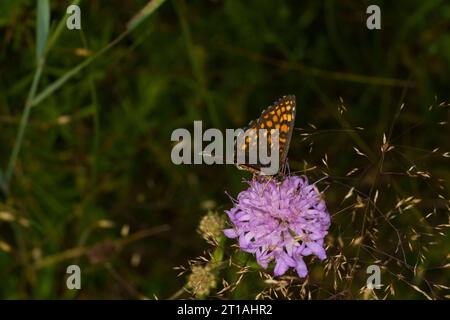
x,y
282,221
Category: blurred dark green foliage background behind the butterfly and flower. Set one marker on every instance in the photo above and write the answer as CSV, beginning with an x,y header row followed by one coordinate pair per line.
x,y
96,151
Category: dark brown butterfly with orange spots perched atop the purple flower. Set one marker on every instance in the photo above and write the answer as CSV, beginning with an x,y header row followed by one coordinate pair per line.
x,y
280,116
